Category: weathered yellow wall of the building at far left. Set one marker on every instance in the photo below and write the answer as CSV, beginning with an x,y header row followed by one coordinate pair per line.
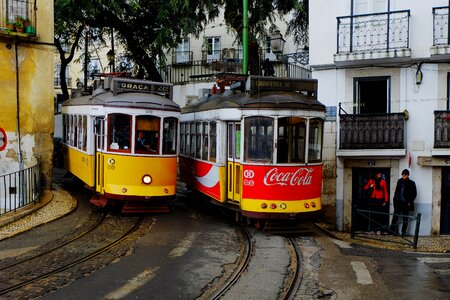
x,y
35,92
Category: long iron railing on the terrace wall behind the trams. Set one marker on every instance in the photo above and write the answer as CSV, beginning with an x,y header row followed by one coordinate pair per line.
x,y
201,71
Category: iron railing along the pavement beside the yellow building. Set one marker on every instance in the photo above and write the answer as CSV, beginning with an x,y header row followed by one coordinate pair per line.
x,y
20,188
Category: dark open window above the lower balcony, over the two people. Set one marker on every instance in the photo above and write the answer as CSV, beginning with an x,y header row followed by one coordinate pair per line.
x,y
372,95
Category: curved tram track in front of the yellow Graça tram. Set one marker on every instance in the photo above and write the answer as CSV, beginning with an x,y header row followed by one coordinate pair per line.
x,y
62,257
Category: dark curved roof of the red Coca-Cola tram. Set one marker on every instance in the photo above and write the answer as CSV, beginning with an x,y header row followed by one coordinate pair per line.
x,y
265,100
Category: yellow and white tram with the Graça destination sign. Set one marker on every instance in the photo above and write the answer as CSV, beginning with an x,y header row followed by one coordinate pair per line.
x,y
121,141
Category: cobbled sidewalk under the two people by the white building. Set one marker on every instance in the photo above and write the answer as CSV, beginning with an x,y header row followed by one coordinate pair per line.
x,y
428,244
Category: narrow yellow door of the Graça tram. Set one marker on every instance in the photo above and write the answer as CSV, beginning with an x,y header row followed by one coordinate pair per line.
x,y
99,157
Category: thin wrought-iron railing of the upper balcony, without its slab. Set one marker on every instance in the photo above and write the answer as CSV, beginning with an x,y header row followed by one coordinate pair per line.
x,y
369,32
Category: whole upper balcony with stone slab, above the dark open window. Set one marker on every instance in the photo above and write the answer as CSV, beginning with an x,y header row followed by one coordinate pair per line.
x,y
373,38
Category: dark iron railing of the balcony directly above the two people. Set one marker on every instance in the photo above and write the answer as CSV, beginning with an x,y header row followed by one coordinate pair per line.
x,y
372,131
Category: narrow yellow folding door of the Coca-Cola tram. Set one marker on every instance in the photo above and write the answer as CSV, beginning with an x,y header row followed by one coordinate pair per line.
x,y
234,167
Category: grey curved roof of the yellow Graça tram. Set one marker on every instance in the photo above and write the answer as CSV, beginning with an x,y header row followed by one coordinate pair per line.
x,y
131,100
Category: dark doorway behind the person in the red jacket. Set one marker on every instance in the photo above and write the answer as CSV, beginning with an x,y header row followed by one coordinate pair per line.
x,y
360,176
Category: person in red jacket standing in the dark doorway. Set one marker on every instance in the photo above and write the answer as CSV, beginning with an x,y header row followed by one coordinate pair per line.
x,y
378,198
